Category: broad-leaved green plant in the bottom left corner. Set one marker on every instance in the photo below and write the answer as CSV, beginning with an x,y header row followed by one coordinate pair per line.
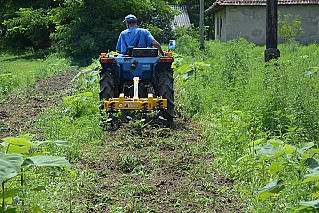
x,y
21,154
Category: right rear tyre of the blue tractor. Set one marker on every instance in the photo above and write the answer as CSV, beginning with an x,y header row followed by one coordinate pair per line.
x,y
166,90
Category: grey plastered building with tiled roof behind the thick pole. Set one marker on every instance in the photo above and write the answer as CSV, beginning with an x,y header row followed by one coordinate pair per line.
x,y
247,19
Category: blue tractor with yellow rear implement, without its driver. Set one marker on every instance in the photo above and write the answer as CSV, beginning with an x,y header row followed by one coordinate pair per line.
x,y
139,84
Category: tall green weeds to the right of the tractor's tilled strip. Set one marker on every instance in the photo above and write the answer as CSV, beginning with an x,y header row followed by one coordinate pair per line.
x,y
239,99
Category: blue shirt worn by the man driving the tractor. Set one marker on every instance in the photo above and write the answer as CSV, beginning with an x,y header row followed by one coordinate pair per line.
x,y
134,36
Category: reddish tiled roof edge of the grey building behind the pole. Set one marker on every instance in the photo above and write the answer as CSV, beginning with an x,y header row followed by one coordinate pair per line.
x,y
217,5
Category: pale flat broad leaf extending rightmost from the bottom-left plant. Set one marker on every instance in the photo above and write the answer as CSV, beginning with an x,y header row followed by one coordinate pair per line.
x,y
46,160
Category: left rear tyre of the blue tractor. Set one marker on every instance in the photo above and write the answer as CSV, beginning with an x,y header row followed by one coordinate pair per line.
x,y
107,85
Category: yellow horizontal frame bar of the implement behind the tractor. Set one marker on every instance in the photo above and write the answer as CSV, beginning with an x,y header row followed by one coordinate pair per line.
x,y
128,103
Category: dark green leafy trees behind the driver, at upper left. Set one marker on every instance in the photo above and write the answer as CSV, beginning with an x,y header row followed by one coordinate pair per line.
x,y
78,29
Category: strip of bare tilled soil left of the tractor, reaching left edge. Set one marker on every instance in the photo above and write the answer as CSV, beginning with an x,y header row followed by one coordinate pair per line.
x,y
24,105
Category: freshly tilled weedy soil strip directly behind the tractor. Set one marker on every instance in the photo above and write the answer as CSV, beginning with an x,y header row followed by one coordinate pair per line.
x,y
157,170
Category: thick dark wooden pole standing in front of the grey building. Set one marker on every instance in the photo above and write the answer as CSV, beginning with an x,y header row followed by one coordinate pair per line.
x,y
271,51
